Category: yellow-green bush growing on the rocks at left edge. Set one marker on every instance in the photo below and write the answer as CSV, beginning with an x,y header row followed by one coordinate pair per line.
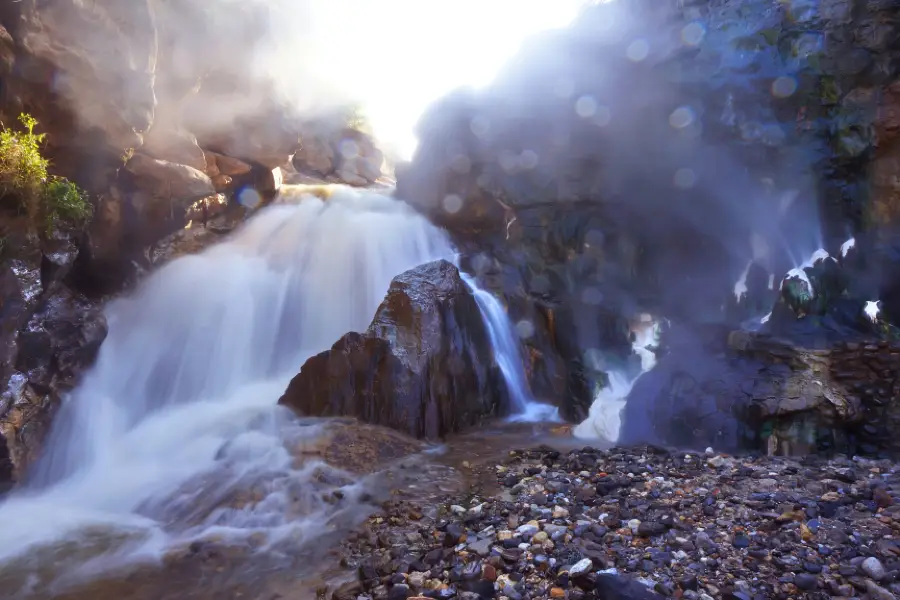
x,y
26,186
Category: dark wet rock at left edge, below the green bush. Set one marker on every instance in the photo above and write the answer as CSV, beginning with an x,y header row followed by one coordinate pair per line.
x,y
49,335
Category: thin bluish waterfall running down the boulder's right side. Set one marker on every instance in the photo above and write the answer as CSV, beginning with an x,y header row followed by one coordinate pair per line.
x,y
507,353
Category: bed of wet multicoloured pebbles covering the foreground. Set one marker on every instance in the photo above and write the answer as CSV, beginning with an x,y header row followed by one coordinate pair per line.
x,y
641,523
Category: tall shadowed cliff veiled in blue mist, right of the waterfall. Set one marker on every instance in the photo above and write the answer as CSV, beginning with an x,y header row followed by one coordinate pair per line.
x,y
638,161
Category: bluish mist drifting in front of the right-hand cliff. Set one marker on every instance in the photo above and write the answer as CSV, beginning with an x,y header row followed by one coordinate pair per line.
x,y
656,119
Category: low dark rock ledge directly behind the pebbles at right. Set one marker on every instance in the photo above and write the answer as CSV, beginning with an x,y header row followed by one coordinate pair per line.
x,y
739,391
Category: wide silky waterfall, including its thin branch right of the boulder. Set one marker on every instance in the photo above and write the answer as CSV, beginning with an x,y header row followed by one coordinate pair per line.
x,y
175,433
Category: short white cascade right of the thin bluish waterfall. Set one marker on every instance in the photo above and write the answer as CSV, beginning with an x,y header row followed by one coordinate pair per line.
x,y
604,419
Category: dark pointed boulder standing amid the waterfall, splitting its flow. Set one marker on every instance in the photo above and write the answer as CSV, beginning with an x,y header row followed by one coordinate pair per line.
x,y
425,365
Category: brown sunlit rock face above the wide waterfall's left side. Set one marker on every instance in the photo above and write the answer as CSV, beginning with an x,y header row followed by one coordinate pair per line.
x,y
140,108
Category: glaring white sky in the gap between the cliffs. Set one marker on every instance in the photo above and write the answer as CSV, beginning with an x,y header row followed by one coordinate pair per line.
x,y
398,56
